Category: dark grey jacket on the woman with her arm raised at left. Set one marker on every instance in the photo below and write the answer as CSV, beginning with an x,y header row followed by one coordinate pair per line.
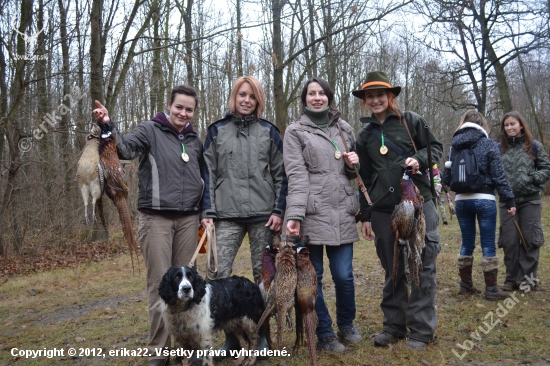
x,y
166,182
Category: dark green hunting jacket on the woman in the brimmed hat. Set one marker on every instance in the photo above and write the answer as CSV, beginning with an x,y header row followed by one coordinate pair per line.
x,y
380,172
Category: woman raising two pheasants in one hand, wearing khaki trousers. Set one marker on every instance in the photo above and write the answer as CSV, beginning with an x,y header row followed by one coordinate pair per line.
x,y
170,189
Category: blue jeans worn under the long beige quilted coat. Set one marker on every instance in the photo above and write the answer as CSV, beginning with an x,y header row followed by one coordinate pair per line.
x,y
341,269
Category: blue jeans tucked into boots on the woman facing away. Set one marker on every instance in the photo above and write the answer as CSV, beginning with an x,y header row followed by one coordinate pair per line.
x,y
486,212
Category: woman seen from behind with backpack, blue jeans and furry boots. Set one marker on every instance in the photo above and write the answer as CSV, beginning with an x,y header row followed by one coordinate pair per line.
x,y
480,204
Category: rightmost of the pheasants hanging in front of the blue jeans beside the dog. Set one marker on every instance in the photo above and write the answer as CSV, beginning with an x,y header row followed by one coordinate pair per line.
x,y
306,295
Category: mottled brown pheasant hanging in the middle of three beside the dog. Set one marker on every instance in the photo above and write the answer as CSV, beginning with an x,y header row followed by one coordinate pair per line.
x,y
280,297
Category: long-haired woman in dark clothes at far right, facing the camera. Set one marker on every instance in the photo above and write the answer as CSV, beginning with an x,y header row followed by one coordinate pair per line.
x,y
527,168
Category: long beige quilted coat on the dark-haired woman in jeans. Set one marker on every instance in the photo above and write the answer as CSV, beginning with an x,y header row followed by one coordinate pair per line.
x,y
319,184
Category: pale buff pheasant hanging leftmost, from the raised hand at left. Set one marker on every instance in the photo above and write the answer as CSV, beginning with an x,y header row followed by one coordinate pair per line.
x,y
89,176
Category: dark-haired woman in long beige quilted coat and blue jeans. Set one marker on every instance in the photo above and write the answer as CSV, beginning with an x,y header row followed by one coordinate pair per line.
x,y
321,203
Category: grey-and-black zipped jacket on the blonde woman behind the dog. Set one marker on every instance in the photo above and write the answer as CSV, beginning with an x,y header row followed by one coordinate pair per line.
x,y
244,173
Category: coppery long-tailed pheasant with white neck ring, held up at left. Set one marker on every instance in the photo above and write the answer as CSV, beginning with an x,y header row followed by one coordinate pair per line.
x,y
115,187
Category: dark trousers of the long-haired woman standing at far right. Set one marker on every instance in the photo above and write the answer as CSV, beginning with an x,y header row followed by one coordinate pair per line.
x,y
519,262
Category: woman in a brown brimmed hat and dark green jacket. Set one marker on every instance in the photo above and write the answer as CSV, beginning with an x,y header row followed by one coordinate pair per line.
x,y
384,148
